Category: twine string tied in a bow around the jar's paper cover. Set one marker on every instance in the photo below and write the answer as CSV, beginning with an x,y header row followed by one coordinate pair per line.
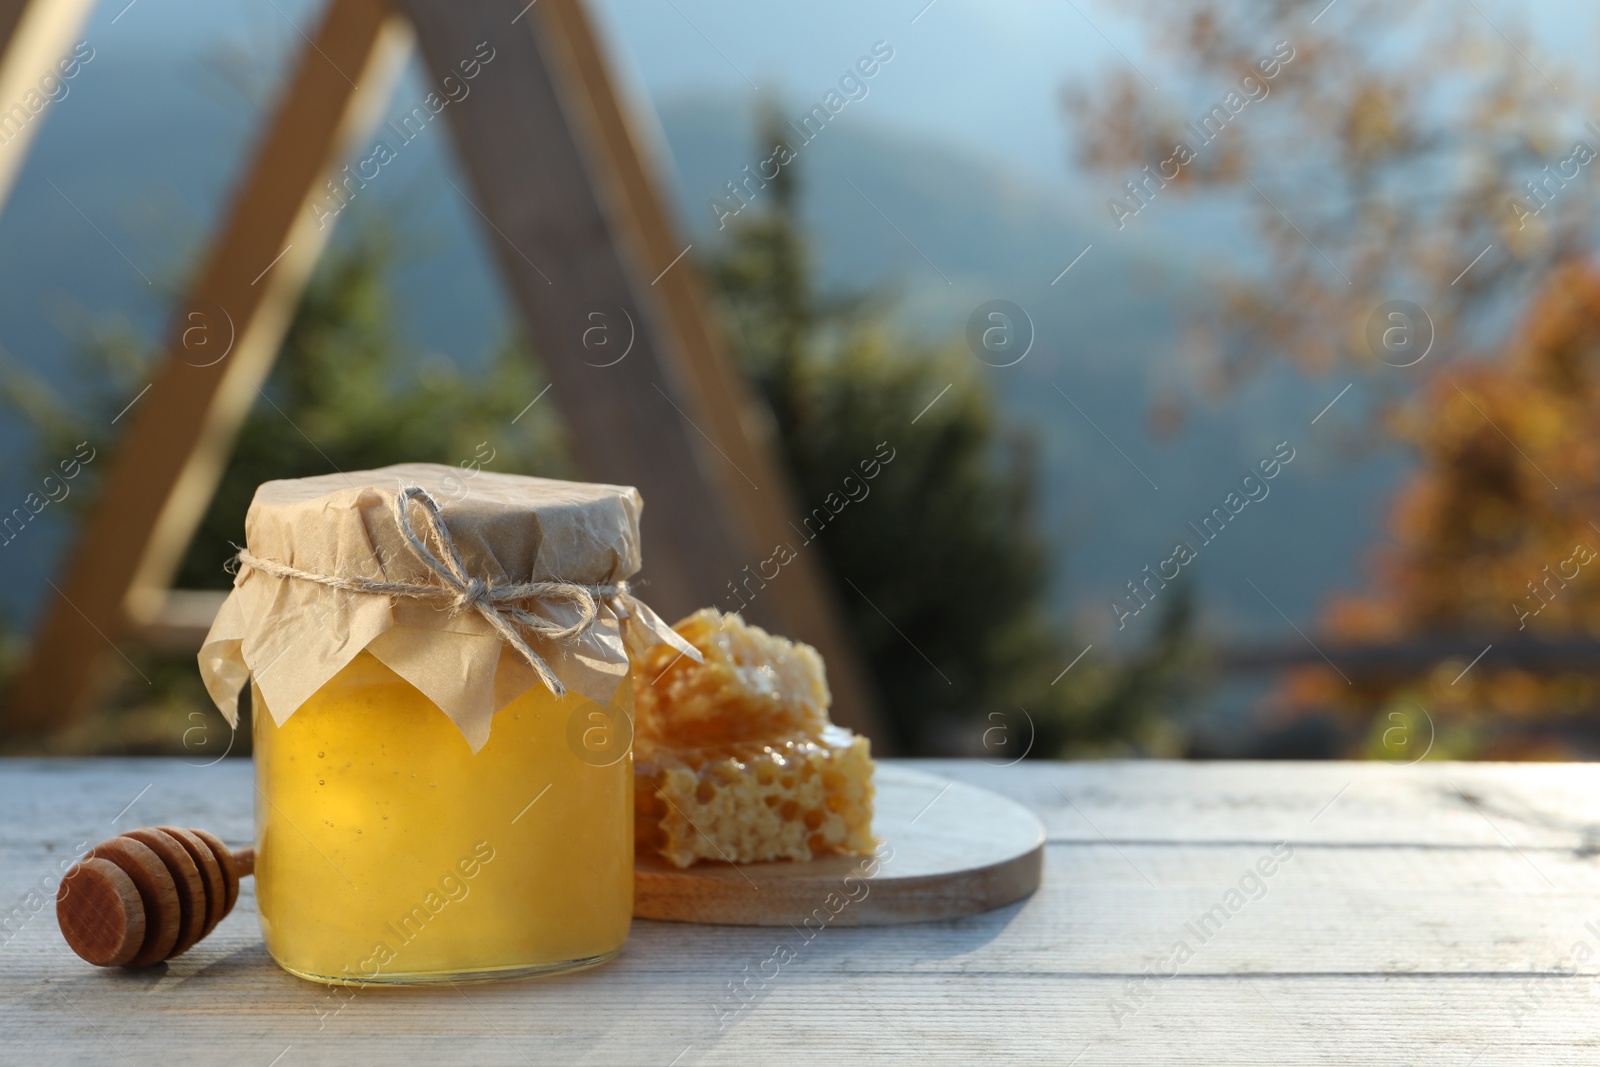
x,y
500,605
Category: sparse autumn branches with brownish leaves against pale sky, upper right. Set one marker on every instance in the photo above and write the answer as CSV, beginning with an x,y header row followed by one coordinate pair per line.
x,y
1375,166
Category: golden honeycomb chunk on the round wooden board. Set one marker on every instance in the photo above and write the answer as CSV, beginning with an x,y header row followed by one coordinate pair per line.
x,y
737,761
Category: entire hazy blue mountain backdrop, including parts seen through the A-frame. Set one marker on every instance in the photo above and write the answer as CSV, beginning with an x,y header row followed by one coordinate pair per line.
x,y
150,158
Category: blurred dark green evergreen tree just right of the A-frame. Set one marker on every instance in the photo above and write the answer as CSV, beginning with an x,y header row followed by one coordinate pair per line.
x,y
946,541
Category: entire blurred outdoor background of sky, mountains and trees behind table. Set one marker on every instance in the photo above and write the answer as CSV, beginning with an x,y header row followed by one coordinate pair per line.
x,y
1287,450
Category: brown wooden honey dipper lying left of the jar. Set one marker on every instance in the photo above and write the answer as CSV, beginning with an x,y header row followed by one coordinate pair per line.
x,y
150,895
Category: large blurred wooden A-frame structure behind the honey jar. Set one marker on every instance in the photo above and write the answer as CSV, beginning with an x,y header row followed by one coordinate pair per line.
x,y
578,230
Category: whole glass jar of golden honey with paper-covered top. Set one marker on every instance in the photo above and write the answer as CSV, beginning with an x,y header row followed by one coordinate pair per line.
x,y
441,796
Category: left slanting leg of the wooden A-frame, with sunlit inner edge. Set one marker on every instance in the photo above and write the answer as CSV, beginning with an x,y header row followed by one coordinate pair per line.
x,y
172,455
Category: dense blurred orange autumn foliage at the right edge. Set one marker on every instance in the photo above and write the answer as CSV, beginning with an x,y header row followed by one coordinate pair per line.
x,y
1495,537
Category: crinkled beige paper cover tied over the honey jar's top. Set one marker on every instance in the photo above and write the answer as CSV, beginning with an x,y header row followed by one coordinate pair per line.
x,y
470,585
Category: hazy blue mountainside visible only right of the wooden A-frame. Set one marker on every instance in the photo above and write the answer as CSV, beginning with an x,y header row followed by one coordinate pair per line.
x,y
959,231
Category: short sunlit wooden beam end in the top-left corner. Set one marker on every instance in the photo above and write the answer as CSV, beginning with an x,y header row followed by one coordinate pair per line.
x,y
34,39
